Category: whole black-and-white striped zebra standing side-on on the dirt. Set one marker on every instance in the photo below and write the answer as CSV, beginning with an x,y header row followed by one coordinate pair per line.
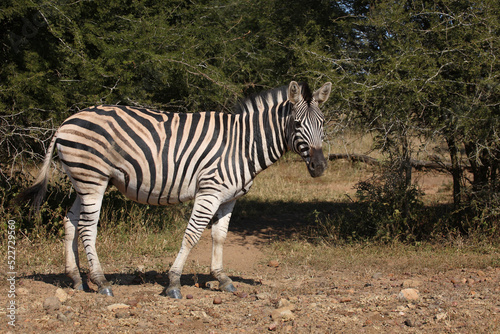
x,y
160,158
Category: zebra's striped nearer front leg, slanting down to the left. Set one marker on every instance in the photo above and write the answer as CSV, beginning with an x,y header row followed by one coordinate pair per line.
x,y
203,210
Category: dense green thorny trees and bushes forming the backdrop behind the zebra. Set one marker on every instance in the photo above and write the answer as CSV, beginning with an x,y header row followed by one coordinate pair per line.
x,y
408,71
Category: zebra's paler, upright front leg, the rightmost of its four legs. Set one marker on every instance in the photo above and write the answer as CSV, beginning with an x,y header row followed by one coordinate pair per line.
x,y
219,233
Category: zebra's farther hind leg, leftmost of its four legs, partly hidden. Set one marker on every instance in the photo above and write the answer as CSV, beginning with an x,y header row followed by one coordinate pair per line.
x,y
71,246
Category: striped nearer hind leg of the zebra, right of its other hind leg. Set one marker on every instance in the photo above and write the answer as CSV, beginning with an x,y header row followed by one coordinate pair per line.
x,y
87,228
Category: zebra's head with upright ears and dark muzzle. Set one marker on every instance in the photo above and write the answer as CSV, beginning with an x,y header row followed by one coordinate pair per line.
x,y
305,131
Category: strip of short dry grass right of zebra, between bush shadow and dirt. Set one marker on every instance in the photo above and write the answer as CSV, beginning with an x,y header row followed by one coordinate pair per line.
x,y
396,258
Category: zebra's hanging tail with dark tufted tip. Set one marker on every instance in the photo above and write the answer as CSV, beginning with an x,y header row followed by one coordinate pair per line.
x,y
37,191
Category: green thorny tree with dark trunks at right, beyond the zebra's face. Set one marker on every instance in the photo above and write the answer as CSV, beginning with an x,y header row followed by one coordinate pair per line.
x,y
429,68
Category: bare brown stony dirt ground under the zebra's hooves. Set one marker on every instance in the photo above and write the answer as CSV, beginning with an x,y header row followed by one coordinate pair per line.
x,y
272,297
